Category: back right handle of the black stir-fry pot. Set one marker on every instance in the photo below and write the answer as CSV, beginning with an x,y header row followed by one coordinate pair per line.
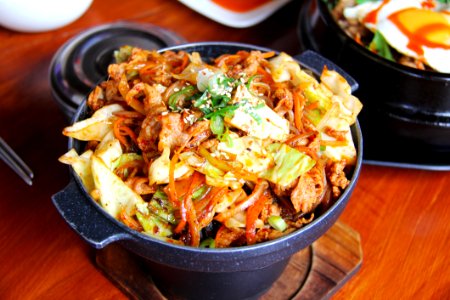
x,y
315,62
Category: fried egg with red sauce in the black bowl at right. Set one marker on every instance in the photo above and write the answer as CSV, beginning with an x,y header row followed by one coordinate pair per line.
x,y
416,28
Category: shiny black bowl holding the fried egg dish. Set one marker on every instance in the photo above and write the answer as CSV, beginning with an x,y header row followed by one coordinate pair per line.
x,y
406,115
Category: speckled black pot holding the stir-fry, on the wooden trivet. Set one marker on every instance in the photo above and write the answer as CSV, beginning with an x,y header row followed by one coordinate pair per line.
x,y
183,272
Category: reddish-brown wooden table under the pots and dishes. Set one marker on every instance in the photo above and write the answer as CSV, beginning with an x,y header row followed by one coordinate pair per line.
x,y
402,215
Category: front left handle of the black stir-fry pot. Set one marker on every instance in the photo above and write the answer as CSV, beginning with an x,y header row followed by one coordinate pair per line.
x,y
86,219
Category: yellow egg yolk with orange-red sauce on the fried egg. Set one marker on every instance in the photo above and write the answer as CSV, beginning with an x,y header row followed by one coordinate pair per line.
x,y
423,28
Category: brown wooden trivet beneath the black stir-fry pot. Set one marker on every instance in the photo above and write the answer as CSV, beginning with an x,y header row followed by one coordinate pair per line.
x,y
316,272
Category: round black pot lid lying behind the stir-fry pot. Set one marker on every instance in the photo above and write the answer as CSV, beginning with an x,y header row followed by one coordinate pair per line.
x,y
82,62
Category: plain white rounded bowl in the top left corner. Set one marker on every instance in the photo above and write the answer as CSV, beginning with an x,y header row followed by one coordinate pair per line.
x,y
40,15
